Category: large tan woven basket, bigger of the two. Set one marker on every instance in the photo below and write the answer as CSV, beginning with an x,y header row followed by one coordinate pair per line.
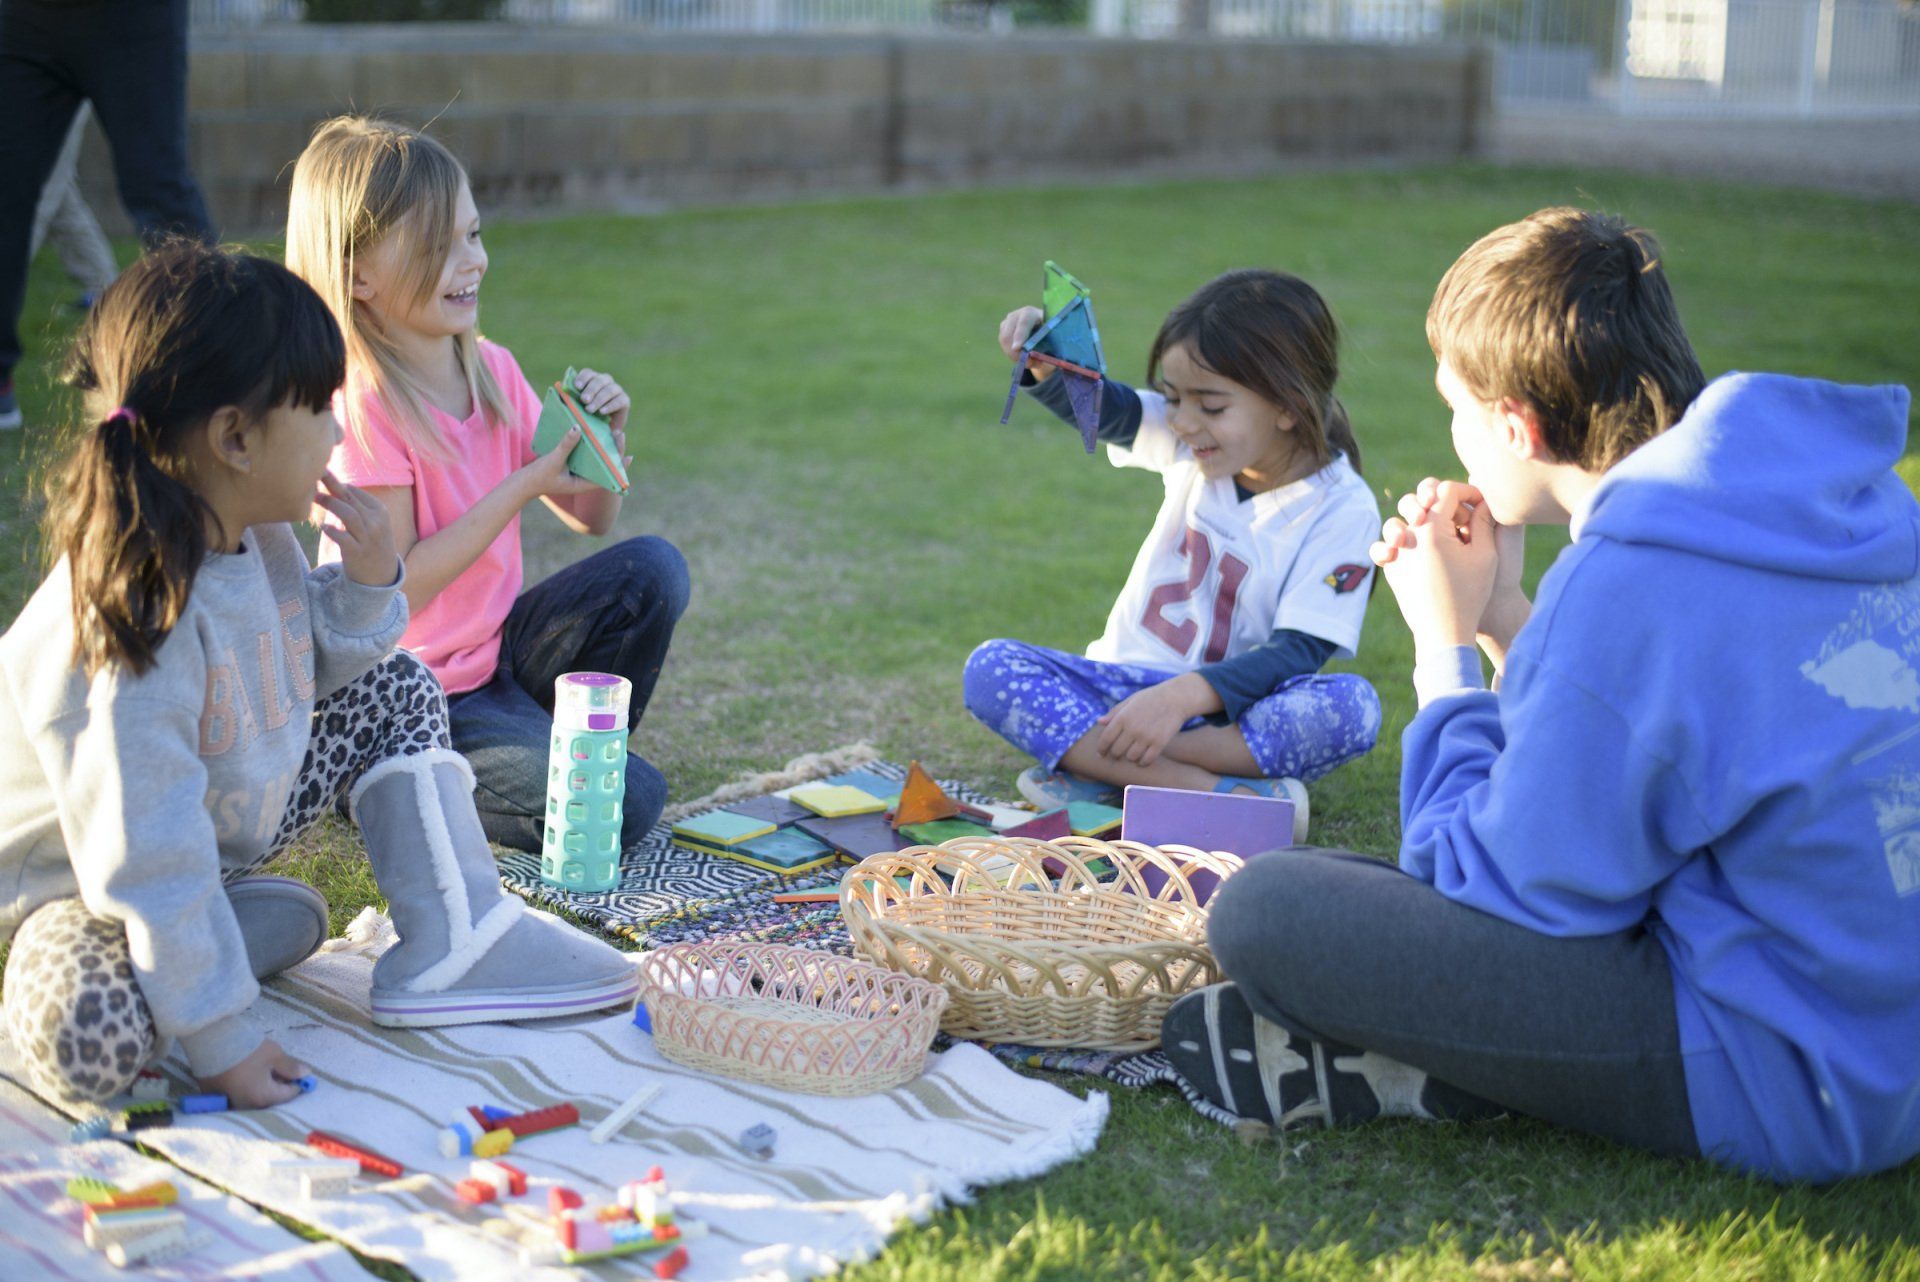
x,y
1036,947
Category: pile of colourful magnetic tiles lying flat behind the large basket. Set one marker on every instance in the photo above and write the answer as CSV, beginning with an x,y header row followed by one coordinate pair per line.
x,y
855,815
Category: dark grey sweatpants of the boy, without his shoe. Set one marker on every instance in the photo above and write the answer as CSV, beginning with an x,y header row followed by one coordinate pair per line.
x,y
1573,1032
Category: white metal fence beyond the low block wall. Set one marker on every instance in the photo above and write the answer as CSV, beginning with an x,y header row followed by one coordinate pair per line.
x,y
1673,57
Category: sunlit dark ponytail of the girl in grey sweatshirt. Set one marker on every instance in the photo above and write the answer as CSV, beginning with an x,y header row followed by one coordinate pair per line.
x,y
135,538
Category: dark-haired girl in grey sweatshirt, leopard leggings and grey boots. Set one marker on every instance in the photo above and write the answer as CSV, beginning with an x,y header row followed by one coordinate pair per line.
x,y
183,696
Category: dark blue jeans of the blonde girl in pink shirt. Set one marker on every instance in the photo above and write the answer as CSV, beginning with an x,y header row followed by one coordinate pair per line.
x,y
612,613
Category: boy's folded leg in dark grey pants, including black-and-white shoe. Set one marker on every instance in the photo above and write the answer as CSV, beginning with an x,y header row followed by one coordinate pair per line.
x,y
1428,1007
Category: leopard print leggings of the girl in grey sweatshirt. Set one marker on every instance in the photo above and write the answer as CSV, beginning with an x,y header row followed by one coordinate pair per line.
x,y
72,1003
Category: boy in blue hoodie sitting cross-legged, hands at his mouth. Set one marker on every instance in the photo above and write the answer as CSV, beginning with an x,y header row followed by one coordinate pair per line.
x,y
1664,882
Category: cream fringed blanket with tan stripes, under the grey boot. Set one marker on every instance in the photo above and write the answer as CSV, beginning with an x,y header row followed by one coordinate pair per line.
x,y
846,1174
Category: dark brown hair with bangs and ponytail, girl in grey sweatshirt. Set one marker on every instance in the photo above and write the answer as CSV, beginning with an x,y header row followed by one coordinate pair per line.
x,y
183,333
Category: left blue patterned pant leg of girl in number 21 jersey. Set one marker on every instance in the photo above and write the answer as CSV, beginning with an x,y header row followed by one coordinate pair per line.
x,y
1045,701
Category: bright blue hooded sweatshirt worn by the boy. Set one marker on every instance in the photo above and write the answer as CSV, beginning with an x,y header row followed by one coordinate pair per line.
x,y
1712,726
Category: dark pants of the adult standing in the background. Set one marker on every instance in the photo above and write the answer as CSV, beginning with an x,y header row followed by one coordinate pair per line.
x,y
130,60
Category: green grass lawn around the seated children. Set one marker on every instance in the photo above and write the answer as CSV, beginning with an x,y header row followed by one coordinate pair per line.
x,y
815,427
